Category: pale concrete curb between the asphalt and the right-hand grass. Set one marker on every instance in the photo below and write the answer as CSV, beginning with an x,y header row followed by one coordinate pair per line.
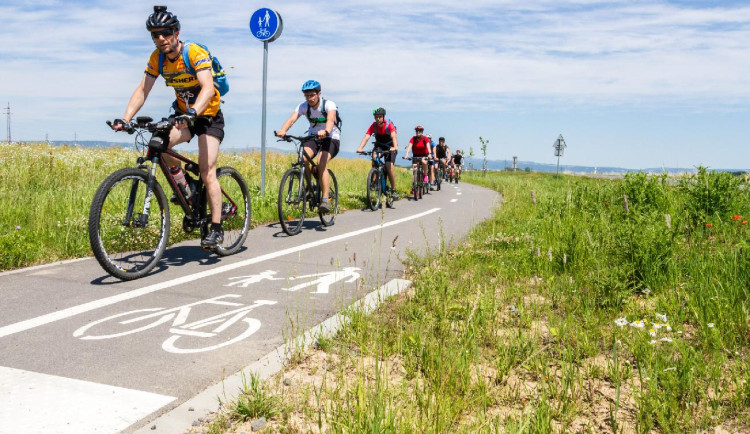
x,y
181,418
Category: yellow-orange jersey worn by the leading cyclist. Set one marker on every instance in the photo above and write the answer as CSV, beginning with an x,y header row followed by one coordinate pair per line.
x,y
186,85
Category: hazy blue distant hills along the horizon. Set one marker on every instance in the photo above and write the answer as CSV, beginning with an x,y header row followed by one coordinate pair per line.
x,y
475,163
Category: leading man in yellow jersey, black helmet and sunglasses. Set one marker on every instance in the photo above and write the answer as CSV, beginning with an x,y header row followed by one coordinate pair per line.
x,y
197,111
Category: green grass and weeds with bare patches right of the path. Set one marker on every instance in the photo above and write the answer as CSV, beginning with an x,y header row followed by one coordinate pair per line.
x,y
576,313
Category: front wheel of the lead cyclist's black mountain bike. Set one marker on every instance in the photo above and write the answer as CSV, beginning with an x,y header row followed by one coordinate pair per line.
x,y
126,242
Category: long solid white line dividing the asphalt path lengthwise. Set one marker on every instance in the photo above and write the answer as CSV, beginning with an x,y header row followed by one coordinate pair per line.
x,y
96,304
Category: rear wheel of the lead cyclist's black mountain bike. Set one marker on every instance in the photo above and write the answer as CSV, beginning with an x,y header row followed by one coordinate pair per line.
x,y
236,210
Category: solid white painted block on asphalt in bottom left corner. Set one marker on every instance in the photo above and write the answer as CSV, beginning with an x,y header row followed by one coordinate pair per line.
x,y
31,402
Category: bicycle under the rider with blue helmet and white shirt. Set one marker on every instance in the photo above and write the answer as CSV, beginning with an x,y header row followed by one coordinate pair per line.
x,y
296,192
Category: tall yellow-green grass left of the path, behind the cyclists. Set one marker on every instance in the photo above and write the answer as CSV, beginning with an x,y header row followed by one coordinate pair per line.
x,y
46,192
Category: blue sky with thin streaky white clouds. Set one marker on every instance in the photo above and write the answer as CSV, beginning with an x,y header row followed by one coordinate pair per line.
x,y
627,83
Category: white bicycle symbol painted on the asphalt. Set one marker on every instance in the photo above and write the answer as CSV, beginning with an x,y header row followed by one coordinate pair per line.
x,y
231,326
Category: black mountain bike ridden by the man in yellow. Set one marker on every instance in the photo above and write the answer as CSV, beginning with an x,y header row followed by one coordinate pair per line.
x,y
128,239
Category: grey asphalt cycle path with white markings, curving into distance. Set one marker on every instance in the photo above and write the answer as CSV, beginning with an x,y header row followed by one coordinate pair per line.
x,y
81,351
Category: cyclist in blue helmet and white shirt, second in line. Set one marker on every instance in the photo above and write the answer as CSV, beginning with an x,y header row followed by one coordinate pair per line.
x,y
321,114
